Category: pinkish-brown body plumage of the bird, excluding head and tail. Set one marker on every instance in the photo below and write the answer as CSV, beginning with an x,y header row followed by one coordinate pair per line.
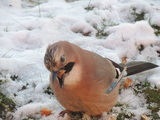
x,y
85,86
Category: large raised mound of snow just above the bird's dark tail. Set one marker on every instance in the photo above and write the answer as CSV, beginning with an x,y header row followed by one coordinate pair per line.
x,y
126,38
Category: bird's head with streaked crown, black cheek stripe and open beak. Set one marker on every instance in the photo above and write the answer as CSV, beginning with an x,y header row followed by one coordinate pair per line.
x,y
59,61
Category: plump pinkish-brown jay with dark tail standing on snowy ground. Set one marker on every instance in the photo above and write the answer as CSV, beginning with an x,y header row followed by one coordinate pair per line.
x,y
83,81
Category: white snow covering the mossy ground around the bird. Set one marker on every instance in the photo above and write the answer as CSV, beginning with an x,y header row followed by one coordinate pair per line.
x,y
111,28
